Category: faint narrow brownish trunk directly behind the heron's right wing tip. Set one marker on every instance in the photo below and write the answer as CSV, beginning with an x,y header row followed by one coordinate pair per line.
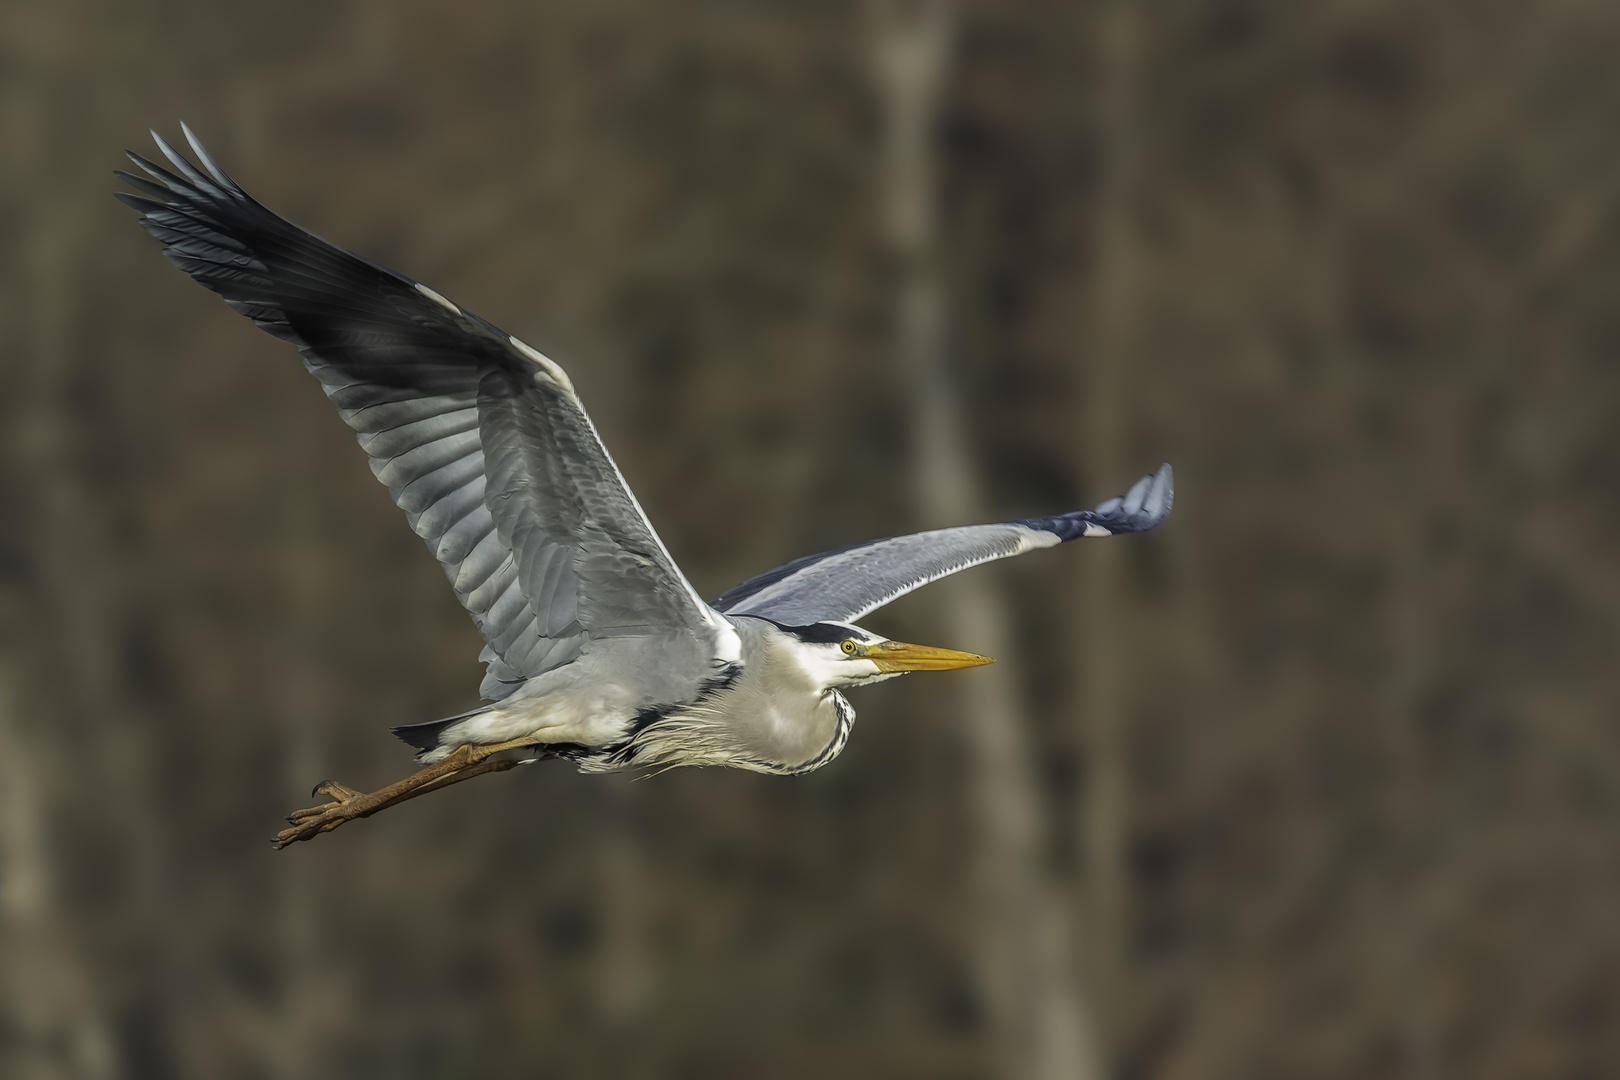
x,y
1106,642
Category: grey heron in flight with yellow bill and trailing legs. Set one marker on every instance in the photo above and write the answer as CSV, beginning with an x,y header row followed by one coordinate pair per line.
x,y
597,647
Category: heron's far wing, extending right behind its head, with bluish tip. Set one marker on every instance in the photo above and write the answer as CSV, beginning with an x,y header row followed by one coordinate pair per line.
x,y
851,582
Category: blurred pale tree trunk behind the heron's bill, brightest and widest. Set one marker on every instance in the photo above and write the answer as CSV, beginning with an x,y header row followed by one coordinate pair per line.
x,y
1039,1019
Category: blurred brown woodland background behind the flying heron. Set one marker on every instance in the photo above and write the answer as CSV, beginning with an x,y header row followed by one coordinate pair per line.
x,y
1323,780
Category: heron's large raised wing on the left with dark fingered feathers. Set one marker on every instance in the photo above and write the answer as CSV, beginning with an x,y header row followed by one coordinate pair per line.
x,y
480,440
